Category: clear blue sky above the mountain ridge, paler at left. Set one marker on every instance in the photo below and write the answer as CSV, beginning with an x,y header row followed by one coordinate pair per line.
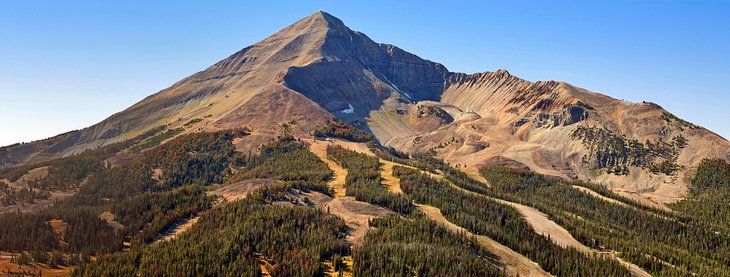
x,y
68,65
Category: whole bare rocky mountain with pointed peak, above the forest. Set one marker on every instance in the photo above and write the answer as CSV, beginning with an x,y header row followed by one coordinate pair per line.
x,y
318,68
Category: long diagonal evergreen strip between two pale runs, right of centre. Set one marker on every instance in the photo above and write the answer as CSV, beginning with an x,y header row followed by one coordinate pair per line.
x,y
504,224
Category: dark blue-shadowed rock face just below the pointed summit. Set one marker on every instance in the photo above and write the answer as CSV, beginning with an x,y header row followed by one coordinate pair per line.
x,y
356,74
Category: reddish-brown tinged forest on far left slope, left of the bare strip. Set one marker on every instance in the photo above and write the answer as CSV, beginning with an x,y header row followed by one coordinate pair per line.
x,y
141,206
